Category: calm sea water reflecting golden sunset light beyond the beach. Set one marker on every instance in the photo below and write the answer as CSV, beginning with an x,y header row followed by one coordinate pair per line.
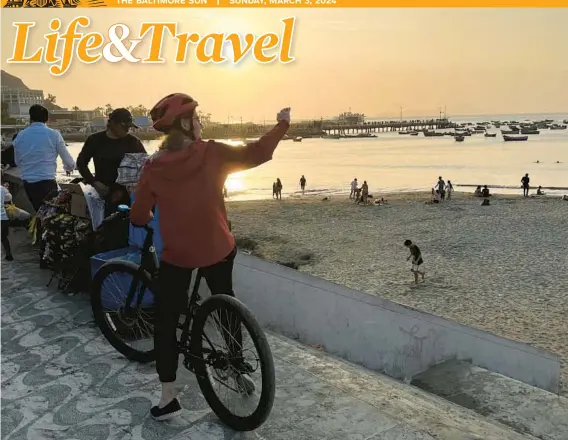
x,y
399,163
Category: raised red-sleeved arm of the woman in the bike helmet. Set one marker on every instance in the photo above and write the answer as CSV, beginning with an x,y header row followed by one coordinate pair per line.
x,y
255,153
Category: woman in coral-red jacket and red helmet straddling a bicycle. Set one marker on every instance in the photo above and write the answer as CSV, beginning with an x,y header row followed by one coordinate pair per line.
x,y
185,180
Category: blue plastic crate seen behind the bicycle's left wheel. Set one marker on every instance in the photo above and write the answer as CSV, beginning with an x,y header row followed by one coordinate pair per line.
x,y
115,290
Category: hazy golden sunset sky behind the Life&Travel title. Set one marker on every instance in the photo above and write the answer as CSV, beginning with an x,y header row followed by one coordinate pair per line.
x,y
474,61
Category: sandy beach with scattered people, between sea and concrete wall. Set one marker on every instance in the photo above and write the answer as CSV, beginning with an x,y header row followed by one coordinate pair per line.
x,y
501,268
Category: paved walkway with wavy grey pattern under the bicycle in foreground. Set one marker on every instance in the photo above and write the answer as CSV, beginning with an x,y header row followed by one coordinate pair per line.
x,y
62,380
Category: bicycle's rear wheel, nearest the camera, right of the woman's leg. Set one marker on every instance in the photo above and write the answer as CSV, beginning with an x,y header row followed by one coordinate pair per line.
x,y
220,358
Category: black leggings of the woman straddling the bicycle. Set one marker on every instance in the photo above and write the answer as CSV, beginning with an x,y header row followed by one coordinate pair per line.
x,y
172,299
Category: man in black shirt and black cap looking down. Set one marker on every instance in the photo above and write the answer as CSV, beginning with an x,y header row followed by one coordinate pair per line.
x,y
107,149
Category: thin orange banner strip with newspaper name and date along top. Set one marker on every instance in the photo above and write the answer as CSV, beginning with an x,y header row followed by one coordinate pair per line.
x,y
285,3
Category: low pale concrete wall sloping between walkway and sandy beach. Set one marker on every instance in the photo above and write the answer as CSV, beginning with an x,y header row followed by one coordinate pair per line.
x,y
378,334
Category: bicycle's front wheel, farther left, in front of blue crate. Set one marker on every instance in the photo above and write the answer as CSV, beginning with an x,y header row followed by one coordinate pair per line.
x,y
129,328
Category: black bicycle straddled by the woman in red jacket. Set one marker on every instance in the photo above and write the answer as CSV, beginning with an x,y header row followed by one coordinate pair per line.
x,y
116,320
